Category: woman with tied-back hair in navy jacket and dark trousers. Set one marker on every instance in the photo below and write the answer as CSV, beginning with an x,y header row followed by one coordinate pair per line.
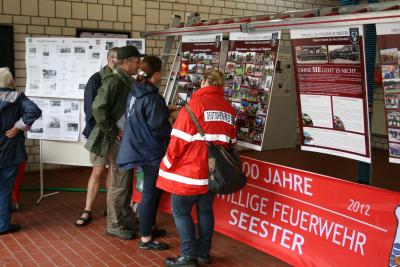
x,y
145,141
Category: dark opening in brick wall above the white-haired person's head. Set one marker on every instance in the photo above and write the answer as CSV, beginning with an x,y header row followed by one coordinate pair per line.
x,y
7,47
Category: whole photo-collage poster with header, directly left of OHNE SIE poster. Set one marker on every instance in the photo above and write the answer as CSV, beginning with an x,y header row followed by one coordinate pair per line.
x,y
249,73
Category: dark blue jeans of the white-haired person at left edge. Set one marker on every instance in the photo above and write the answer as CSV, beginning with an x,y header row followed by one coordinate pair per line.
x,y
7,179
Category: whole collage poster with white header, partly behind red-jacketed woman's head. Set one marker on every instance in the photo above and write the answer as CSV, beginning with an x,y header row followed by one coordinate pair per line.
x,y
199,53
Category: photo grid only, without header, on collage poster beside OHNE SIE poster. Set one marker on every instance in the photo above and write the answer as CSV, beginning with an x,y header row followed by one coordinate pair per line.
x,y
248,85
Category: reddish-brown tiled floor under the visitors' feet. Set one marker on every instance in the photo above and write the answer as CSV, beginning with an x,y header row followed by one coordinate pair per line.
x,y
49,237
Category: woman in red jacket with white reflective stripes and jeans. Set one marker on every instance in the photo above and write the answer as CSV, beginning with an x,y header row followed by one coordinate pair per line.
x,y
184,169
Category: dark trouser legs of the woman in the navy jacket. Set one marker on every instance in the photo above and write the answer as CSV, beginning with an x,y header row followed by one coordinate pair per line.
x,y
150,199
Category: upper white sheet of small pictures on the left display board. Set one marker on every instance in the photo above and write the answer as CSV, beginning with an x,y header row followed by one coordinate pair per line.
x,y
60,67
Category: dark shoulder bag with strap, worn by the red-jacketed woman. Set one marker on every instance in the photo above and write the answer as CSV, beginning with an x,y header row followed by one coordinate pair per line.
x,y
225,175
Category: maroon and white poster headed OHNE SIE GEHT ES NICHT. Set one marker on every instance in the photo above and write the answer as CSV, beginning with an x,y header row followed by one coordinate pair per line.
x,y
331,87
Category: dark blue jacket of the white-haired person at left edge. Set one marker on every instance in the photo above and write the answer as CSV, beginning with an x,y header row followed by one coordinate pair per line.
x,y
15,110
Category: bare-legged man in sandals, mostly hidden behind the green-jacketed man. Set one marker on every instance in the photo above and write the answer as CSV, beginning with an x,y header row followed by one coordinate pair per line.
x,y
99,163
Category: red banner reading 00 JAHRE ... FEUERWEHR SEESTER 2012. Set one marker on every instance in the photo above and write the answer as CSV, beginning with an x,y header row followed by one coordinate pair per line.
x,y
307,219
